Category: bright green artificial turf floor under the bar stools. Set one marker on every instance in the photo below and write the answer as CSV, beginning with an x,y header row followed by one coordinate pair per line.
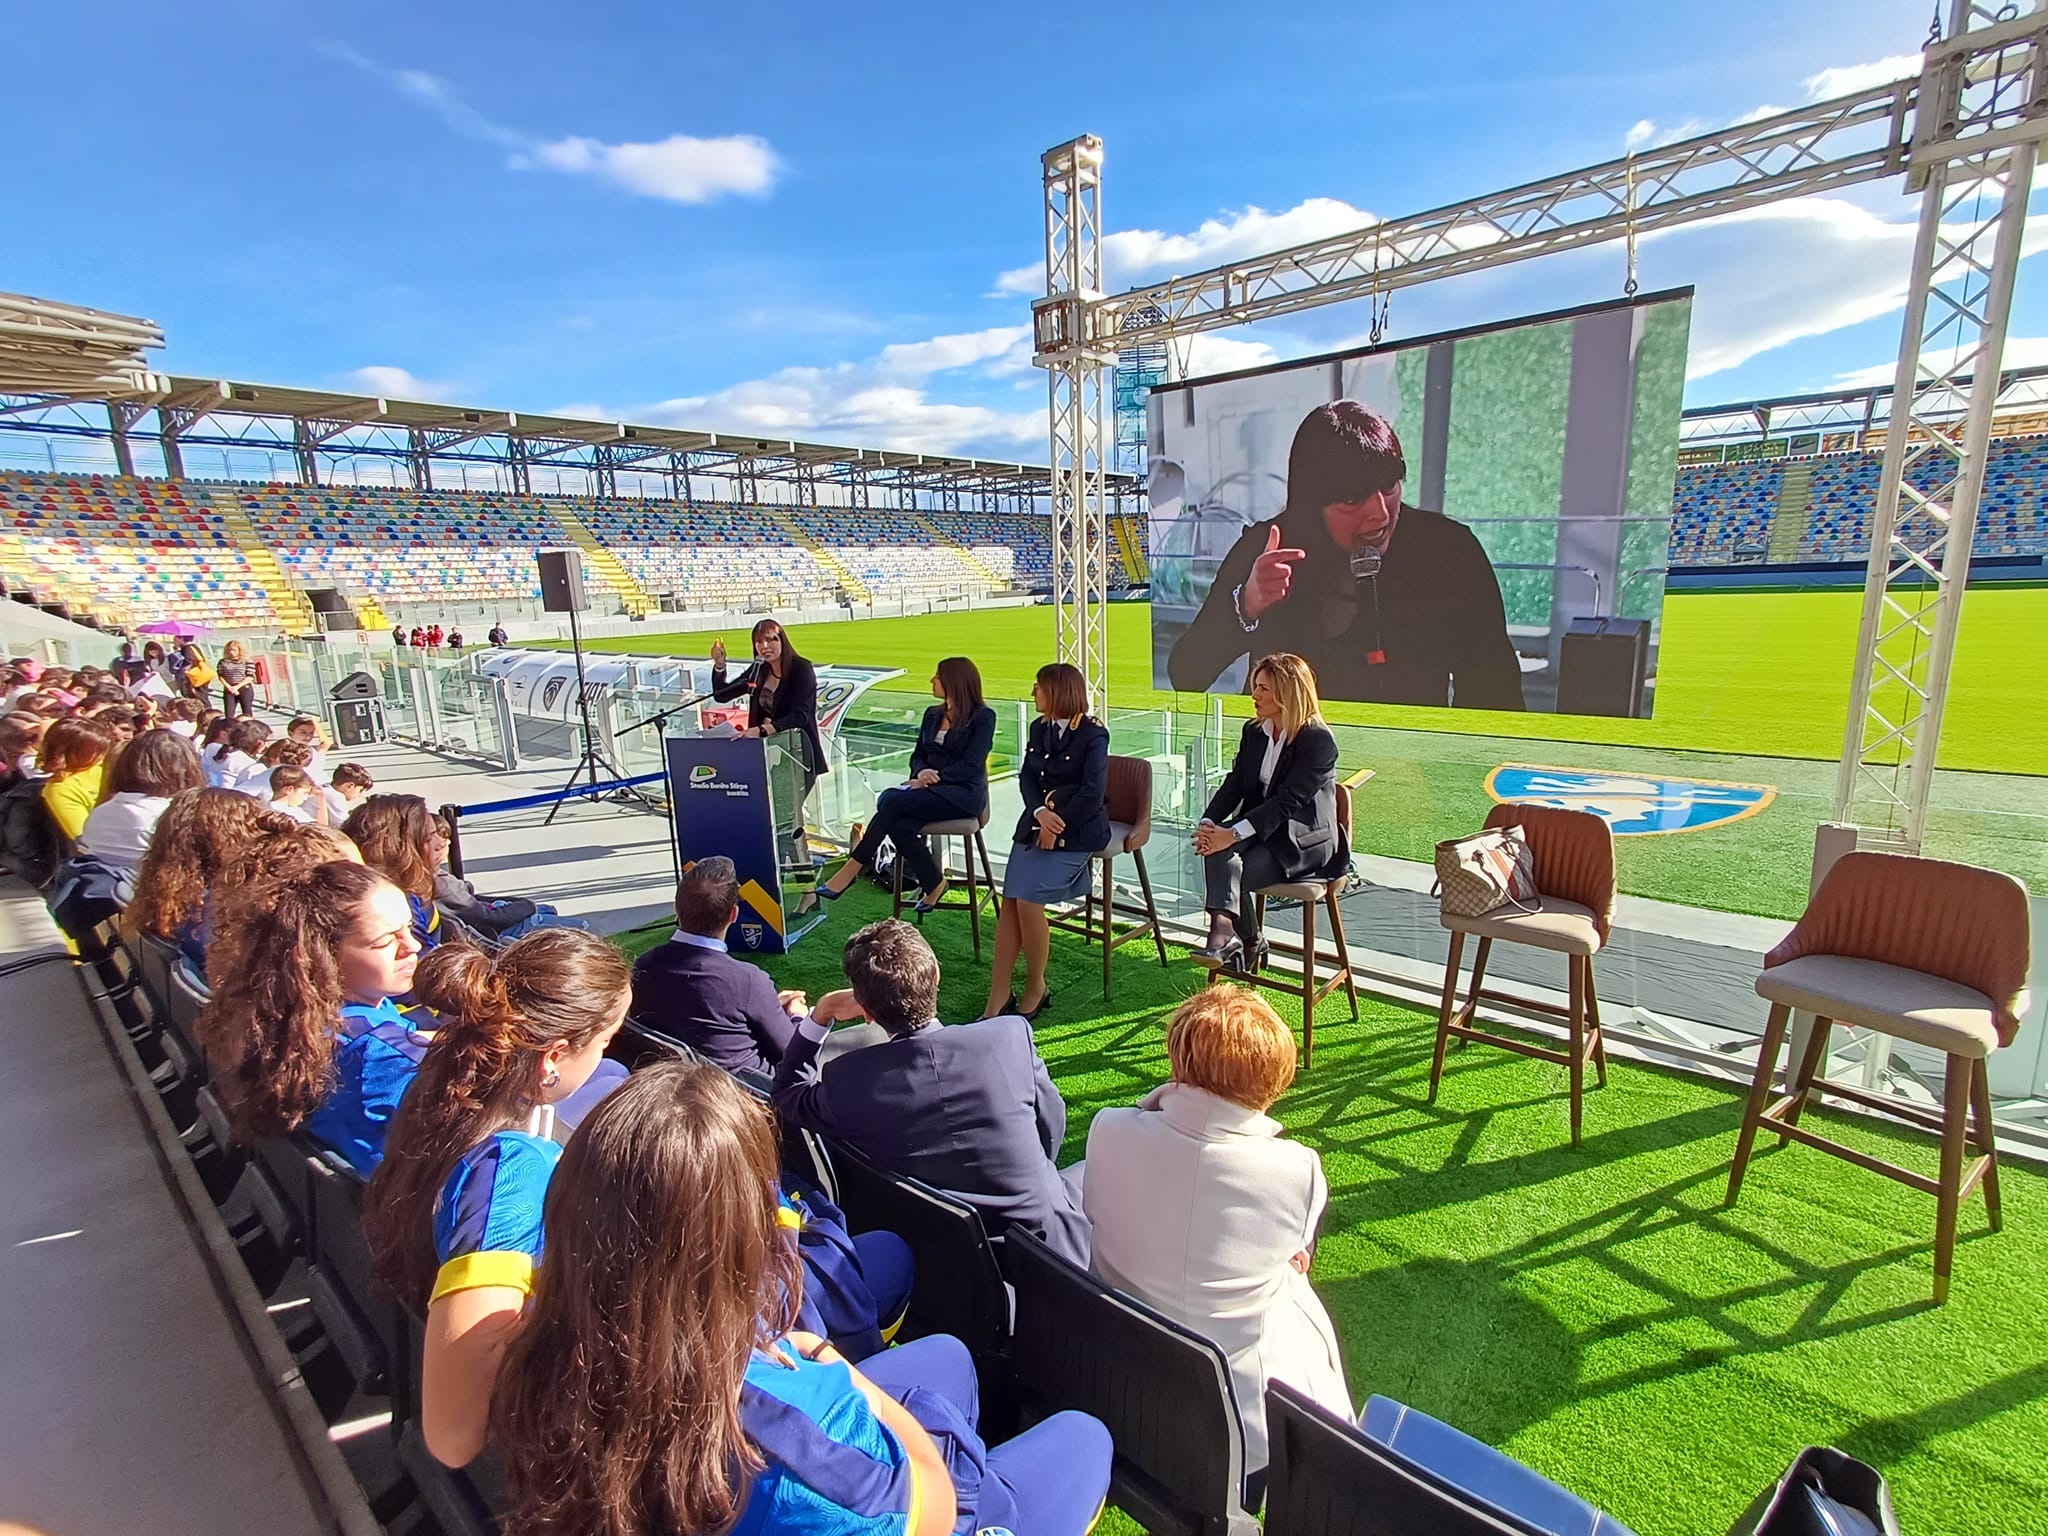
x,y
1592,1310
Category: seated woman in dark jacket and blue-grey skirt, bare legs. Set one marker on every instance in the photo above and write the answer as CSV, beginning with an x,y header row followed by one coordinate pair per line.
x,y
1066,783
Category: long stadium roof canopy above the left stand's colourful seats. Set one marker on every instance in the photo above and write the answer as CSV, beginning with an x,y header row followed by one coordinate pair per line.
x,y
60,357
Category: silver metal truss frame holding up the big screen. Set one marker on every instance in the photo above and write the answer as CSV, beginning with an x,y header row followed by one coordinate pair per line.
x,y
1965,134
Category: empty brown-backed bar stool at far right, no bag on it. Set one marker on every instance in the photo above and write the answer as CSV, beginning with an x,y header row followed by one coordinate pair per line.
x,y
1922,951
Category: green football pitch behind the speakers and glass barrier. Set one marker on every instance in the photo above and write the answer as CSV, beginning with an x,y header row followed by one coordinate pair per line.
x,y
1754,689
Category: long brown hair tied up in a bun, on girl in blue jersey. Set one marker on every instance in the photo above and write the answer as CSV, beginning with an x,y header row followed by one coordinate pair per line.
x,y
499,1017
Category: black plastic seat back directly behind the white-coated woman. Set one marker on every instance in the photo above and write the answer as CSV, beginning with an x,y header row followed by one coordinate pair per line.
x,y
1162,1392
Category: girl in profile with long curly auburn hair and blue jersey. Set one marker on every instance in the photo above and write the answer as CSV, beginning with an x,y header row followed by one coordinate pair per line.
x,y
300,1029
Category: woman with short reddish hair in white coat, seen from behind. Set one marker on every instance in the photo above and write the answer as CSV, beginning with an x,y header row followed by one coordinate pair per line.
x,y
1207,1215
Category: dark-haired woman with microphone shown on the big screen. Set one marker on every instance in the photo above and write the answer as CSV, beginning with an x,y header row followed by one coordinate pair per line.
x,y
1388,603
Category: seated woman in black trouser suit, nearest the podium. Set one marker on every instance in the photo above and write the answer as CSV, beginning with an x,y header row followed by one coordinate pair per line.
x,y
949,779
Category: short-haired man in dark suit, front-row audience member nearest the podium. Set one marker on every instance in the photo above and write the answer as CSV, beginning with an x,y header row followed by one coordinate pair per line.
x,y
695,992
